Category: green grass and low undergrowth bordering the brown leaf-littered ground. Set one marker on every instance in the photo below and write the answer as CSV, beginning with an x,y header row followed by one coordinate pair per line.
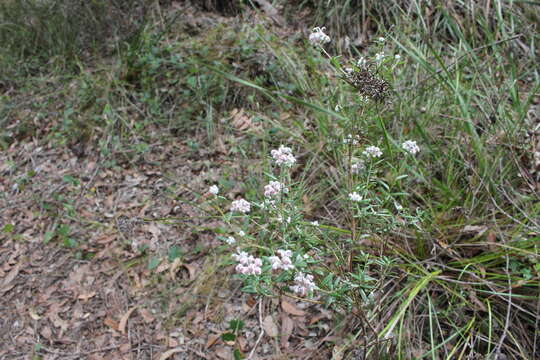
x,y
455,273
